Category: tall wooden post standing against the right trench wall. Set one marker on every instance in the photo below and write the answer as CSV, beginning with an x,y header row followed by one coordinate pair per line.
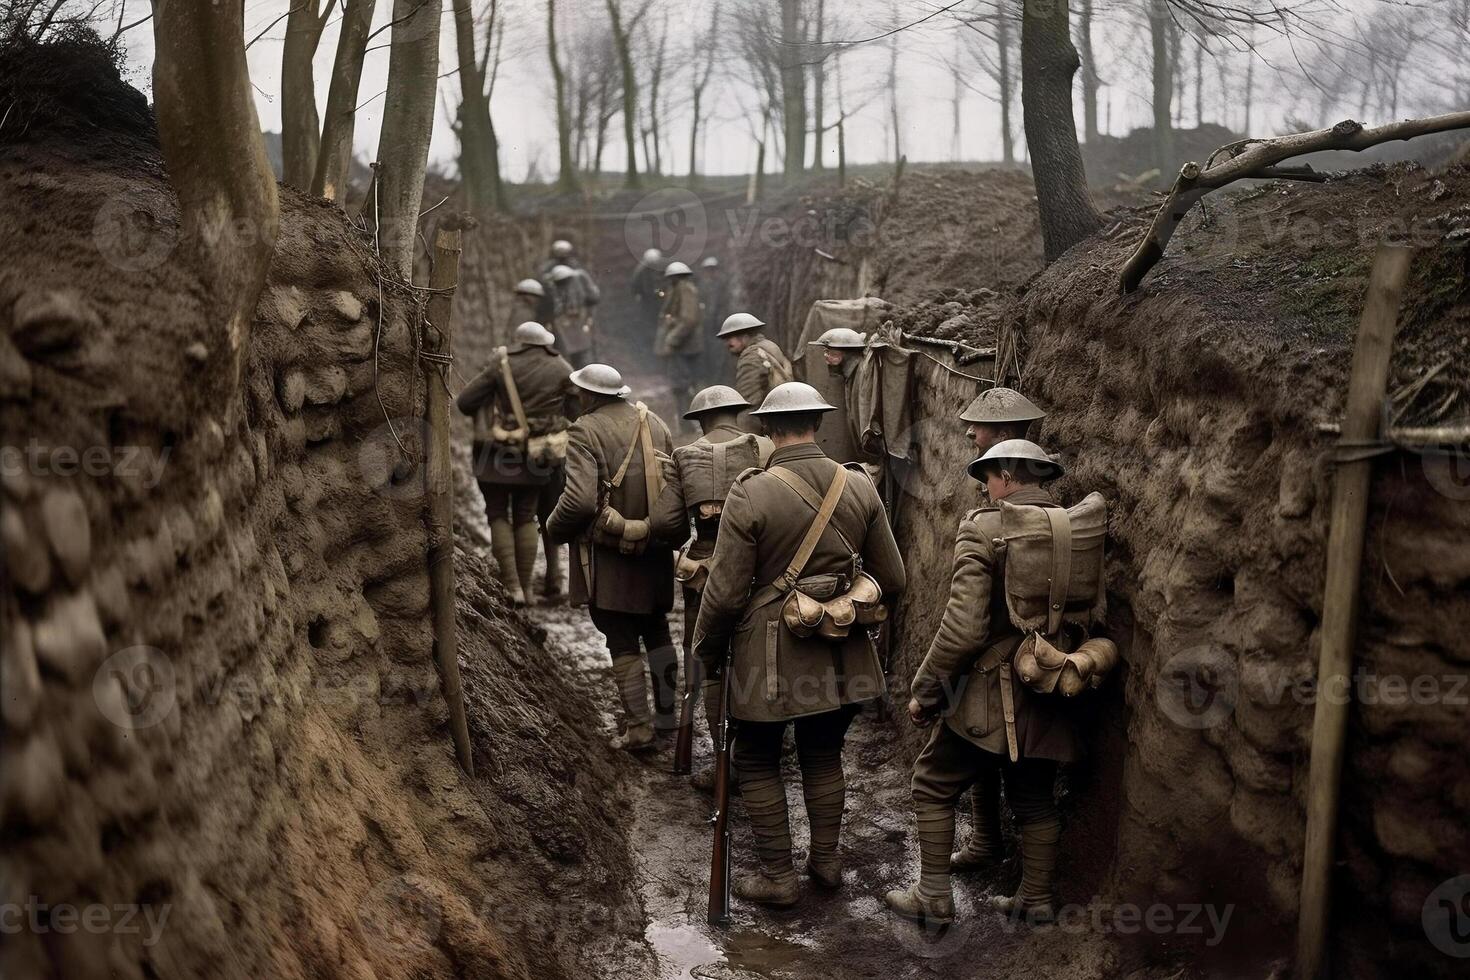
x,y
1350,506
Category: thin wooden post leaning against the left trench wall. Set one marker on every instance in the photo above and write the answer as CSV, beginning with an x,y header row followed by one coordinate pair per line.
x,y
439,480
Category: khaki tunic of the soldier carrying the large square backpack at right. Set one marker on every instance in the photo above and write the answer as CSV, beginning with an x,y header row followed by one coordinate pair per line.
x,y
974,622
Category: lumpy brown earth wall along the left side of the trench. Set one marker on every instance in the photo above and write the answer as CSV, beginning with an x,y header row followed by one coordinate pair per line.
x,y
223,721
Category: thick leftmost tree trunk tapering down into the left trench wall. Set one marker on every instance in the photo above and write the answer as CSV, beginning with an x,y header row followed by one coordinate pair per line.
x,y
217,162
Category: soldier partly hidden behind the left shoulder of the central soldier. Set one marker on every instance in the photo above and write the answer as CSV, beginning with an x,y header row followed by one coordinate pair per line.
x,y
698,481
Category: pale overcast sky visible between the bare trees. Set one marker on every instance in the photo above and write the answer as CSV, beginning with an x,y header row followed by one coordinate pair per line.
x,y
523,101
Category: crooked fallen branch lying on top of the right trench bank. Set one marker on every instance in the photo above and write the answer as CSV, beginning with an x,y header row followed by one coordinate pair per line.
x,y
1259,159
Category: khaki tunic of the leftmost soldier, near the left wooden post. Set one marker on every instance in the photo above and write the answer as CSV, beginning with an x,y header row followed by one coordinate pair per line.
x,y
548,397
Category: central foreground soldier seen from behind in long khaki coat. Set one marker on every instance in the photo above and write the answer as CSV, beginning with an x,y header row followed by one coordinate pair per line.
x,y
795,538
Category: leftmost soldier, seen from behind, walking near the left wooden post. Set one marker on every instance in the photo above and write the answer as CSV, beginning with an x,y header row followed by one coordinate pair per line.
x,y
521,405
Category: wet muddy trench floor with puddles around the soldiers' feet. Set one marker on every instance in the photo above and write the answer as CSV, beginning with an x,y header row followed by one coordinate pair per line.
x,y
845,934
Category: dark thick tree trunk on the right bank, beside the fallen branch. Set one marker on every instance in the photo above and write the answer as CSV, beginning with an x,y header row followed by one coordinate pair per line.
x,y
1047,64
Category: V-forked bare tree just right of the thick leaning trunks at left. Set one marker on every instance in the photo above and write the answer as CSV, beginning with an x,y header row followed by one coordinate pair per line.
x,y
480,146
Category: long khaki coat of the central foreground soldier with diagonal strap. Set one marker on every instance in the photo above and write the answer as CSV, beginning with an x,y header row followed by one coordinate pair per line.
x,y
777,675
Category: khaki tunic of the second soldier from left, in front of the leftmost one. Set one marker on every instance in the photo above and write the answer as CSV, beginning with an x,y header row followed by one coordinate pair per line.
x,y
620,584
